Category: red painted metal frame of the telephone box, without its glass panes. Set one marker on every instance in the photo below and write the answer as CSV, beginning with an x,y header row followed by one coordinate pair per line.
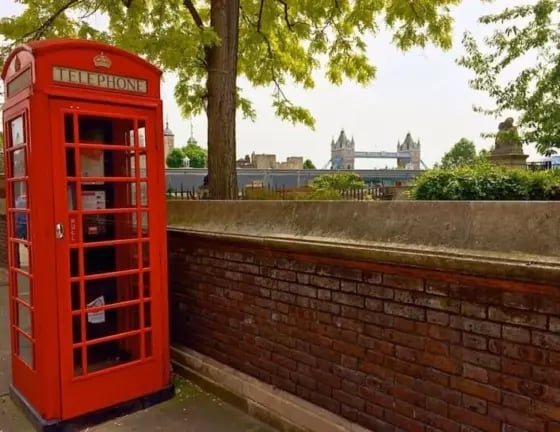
x,y
52,385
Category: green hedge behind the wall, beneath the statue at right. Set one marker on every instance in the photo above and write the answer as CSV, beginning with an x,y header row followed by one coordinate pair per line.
x,y
487,182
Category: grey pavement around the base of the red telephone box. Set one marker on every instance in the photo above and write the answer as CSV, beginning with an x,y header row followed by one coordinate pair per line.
x,y
192,410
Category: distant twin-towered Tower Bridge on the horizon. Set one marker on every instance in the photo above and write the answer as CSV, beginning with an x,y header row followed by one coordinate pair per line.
x,y
344,154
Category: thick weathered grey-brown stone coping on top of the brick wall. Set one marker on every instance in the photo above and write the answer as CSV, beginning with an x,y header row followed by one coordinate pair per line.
x,y
509,240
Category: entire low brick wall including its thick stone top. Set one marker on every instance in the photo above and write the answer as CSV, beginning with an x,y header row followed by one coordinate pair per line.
x,y
397,316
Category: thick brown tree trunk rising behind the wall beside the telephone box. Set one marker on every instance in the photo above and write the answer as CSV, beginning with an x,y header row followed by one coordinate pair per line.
x,y
221,109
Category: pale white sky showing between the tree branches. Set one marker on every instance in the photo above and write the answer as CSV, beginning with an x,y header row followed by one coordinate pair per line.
x,y
423,92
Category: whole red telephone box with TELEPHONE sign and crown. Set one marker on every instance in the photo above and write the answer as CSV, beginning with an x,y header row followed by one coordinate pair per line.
x,y
85,180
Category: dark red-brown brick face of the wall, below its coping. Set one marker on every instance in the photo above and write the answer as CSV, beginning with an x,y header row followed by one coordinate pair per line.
x,y
394,349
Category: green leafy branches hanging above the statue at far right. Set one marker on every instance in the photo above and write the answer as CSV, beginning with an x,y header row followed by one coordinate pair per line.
x,y
526,32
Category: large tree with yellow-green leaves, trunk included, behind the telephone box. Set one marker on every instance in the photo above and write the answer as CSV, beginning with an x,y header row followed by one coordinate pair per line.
x,y
208,43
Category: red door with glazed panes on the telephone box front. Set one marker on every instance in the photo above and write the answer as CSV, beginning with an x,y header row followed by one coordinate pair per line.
x,y
108,245
